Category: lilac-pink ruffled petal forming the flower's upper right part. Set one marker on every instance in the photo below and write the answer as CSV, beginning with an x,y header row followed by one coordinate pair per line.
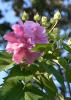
x,y
36,32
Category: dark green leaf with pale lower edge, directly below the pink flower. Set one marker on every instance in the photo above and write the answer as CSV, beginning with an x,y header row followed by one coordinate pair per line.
x,y
18,74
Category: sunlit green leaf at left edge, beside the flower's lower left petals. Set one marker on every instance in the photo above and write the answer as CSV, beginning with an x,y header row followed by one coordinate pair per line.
x,y
5,61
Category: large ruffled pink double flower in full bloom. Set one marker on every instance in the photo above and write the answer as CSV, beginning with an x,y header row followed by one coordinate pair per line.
x,y
22,40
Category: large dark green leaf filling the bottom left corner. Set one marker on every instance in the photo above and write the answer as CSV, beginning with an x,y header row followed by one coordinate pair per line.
x,y
12,90
